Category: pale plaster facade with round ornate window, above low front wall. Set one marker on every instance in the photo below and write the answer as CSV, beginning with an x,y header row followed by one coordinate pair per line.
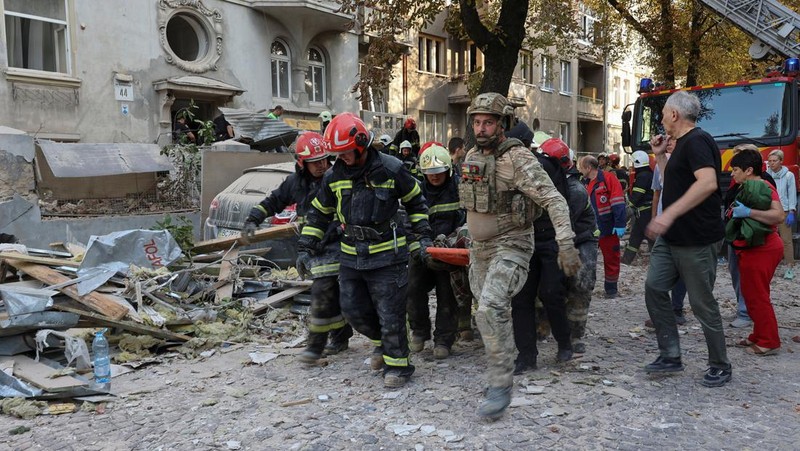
x,y
118,71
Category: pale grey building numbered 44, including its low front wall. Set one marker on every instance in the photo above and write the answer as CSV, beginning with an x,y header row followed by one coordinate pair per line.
x,y
80,73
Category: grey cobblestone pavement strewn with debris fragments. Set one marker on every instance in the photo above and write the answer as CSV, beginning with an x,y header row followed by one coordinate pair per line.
x,y
600,401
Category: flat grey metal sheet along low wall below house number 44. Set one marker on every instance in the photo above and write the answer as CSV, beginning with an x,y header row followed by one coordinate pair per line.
x,y
94,160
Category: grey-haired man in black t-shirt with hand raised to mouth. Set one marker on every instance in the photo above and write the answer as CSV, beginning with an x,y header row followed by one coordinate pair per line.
x,y
687,235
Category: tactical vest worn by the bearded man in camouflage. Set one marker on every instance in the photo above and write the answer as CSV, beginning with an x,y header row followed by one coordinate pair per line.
x,y
478,188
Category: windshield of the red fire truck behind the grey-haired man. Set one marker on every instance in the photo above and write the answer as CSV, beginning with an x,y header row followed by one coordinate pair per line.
x,y
748,111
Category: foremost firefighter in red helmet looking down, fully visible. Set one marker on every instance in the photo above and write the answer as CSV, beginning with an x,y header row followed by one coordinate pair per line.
x,y
363,191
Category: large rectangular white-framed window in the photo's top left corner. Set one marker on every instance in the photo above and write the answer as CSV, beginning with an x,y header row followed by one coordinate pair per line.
x,y
37,35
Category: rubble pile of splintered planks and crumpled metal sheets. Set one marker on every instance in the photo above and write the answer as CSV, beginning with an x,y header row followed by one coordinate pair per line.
x,y
156,300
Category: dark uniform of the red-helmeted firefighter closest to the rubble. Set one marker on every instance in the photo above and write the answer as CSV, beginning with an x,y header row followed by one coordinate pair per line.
x,y
326,315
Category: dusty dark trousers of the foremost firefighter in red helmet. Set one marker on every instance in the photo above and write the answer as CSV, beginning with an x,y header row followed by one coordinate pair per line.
x,y
374,303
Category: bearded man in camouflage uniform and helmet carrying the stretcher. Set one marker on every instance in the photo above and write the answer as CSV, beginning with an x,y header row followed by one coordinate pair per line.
x,y
503,188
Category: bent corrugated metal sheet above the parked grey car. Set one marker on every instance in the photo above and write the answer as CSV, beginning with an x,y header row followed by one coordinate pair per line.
x,y
265,133
